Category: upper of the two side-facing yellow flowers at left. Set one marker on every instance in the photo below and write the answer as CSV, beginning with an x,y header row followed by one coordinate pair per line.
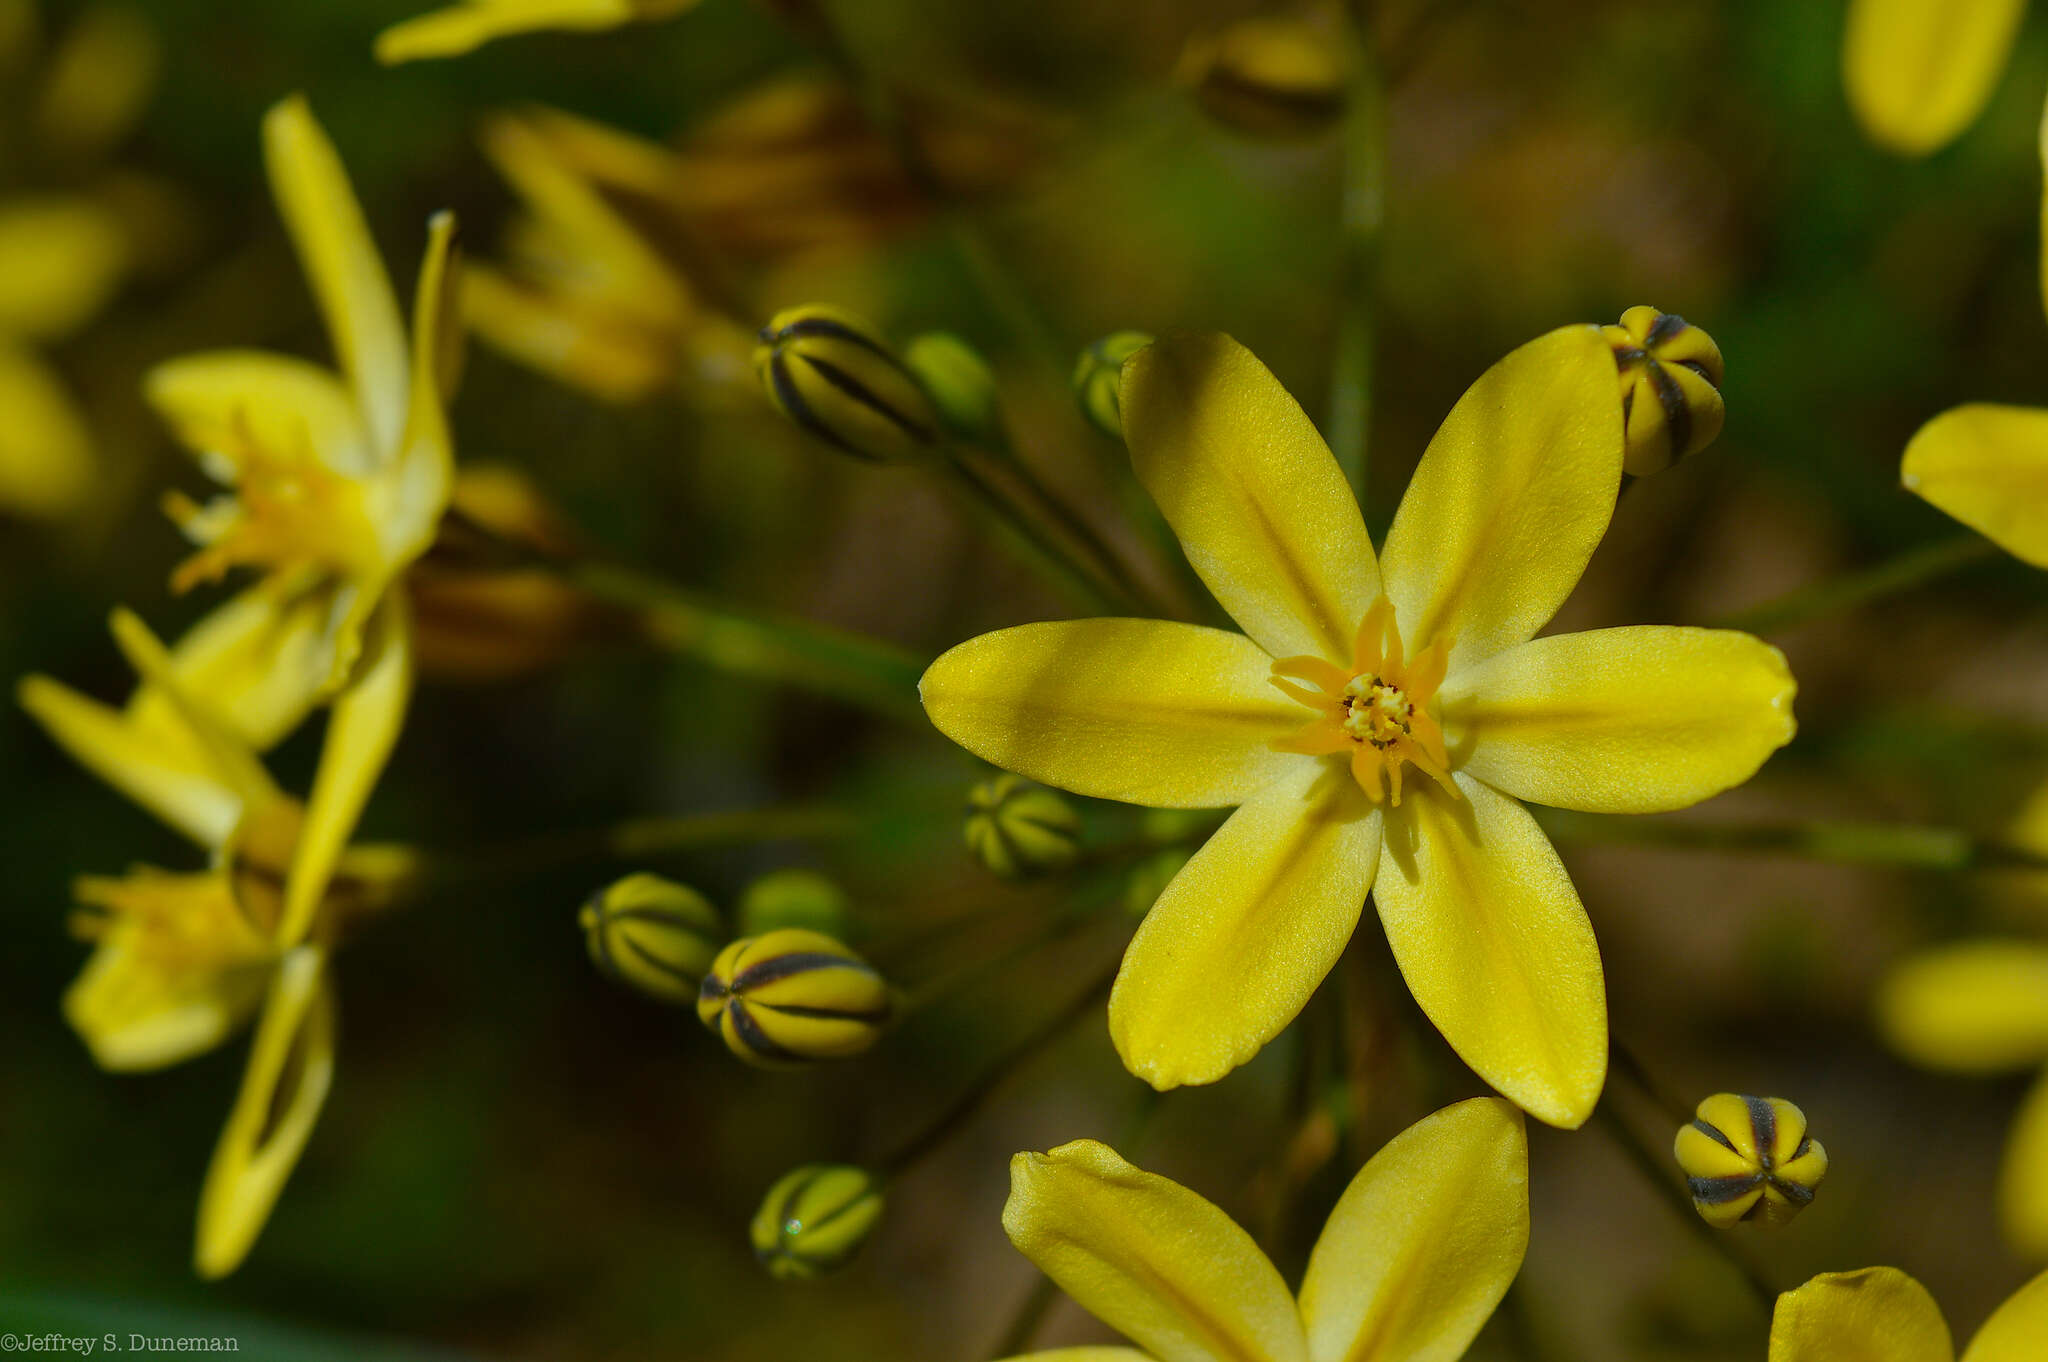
x,y
339,484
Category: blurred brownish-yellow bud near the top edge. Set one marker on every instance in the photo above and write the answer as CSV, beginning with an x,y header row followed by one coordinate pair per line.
x,y
1271,79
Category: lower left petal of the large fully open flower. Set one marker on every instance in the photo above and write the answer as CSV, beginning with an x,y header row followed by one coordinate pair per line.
x,y
1248,929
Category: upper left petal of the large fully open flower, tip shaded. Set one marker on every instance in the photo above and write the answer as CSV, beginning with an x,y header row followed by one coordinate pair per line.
x,y
1252,493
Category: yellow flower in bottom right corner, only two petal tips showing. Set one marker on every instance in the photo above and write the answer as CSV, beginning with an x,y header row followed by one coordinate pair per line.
x,y
1885,1316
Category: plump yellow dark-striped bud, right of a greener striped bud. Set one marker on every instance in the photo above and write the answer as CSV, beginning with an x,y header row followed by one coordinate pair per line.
x,y
792,996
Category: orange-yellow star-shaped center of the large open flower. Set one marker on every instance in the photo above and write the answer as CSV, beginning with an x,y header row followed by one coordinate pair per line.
x,y
1375,712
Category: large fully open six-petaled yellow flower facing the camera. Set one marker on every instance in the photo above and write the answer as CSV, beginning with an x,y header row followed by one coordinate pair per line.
x,y
1379,720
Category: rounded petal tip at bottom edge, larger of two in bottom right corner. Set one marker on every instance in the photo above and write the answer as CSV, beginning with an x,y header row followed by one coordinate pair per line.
x,y
1867,1316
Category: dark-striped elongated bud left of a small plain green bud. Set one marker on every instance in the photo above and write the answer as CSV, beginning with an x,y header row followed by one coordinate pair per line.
x,y
839,380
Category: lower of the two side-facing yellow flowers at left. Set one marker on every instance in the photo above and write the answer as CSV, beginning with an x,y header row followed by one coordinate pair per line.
x,y
183,962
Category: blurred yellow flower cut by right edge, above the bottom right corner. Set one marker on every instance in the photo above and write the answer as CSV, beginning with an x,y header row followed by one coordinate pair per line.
x,y
1983,1009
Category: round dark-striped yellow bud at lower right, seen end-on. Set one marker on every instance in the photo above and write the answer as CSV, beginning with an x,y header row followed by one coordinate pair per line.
x,y
1750,1160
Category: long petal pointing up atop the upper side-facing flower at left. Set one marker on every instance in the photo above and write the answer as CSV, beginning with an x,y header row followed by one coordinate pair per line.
x,y
341,265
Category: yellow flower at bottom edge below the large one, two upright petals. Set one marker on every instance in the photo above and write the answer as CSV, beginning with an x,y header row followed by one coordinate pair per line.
x,y
1412,1263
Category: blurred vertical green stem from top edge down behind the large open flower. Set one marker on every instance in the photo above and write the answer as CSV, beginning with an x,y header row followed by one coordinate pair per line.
x,y
1361,216
